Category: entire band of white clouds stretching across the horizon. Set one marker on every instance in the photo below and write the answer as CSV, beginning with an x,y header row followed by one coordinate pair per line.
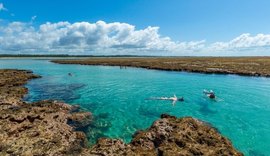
x,y
103,38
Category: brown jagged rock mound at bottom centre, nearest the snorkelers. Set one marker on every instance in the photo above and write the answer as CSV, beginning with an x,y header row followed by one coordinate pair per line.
x,y
170,136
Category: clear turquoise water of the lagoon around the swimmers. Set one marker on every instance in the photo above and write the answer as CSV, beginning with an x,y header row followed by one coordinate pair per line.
x,y
118,99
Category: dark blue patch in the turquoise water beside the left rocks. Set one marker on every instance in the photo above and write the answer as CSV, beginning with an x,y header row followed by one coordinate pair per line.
x,y
63,92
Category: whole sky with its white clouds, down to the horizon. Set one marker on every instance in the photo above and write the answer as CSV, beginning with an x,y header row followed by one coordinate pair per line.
x,y
136,27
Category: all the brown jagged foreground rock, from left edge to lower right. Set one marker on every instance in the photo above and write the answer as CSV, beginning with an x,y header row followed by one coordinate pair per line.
x,y
49,128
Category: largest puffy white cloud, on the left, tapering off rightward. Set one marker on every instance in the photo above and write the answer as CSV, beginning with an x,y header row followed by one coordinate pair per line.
x,y
99,37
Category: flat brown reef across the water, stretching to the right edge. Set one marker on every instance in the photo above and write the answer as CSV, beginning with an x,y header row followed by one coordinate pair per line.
x,y
246,66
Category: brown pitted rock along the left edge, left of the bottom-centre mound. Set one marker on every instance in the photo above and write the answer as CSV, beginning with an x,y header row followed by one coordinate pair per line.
x,y
41,128
